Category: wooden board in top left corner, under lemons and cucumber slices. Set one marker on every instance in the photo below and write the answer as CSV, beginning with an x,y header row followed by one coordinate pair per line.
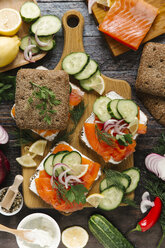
x,y
24,30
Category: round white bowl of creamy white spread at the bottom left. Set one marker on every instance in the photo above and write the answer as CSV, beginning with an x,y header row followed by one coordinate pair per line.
x,y
40,221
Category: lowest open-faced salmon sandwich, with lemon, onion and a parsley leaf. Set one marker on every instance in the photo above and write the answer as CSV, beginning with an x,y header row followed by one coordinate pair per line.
x,y
64,178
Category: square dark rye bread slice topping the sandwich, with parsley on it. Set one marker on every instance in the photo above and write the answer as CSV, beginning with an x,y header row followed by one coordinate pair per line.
x,y
26,115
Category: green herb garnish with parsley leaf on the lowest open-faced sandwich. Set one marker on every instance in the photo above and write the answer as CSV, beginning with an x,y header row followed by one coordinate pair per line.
x,y
75,193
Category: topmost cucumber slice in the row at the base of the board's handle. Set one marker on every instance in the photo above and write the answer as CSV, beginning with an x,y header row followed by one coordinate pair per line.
x,y
75,62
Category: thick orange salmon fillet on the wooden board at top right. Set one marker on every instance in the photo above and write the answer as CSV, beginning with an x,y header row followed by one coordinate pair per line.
x,y
128,21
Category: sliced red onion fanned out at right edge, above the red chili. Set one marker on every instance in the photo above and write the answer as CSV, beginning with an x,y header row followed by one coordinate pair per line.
x,y
156,164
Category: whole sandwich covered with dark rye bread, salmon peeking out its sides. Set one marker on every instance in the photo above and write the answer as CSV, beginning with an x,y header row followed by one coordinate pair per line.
x,y
57,83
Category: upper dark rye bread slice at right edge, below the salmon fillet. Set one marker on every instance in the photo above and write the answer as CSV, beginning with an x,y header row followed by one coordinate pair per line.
x,y
151,73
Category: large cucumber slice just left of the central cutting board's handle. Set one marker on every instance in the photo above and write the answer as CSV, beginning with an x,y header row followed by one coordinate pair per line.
x,y
46,25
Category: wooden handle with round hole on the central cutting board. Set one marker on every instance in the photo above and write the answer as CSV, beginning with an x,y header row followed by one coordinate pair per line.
x,y
73,24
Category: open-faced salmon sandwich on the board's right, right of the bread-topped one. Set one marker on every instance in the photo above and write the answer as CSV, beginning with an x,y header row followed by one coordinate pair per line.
x,y
113,126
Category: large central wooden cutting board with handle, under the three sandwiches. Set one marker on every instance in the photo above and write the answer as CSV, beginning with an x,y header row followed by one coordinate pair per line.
x,y
73,42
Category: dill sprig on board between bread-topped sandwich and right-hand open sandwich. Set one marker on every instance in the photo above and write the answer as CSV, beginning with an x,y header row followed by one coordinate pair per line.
x,y
77,112
